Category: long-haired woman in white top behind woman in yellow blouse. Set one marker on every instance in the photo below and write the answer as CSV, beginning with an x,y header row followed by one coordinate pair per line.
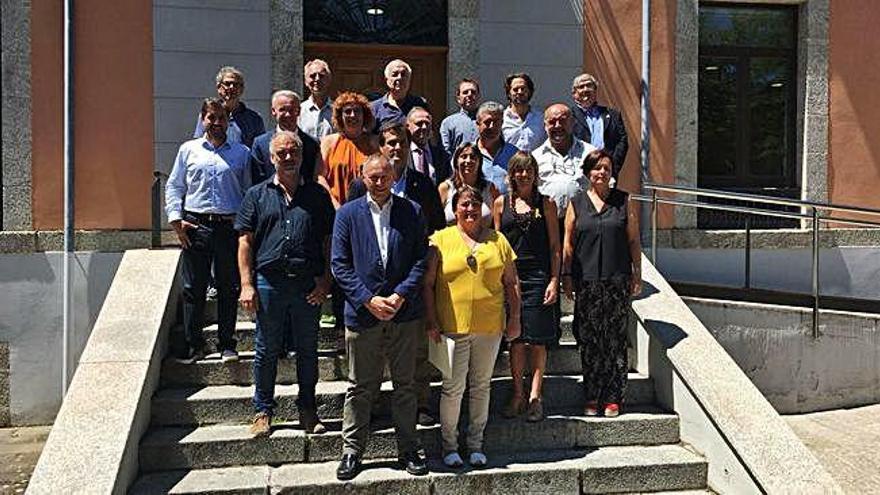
x,y
467,171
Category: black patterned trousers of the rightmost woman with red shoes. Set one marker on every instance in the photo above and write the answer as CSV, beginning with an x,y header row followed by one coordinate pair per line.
x,y
600,326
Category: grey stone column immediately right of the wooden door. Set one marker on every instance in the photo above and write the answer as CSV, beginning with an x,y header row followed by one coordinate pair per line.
x,y
463,58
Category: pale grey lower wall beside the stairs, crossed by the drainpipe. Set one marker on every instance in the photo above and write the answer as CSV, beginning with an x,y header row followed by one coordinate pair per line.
x,y
30,322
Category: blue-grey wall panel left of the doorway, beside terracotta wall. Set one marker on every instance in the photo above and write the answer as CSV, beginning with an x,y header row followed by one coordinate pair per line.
x,y
194,38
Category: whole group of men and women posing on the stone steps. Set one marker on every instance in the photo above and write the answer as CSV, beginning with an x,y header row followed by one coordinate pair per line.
x,y
454,245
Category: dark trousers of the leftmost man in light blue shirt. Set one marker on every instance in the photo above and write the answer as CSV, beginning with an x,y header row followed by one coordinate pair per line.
x,y
217,243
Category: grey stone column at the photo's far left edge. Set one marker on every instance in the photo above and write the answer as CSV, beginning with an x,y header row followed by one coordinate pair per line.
x,y
16,115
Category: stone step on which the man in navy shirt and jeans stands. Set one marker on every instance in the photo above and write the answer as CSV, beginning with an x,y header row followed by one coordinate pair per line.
x,y
230,445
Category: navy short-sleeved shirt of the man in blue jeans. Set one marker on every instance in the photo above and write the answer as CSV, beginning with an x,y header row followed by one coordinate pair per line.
x,y
287,235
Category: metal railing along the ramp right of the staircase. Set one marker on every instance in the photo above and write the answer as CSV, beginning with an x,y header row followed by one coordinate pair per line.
x,y
810,210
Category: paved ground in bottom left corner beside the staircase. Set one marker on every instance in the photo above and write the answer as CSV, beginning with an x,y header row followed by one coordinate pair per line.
x,y
19,450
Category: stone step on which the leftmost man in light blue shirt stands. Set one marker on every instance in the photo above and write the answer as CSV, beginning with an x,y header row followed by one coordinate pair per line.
x,y
561,360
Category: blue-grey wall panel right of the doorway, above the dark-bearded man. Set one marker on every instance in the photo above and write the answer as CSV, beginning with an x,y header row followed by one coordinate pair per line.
x,y
545,42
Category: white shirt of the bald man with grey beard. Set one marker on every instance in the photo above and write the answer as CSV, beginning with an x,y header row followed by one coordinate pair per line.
x,y
561,177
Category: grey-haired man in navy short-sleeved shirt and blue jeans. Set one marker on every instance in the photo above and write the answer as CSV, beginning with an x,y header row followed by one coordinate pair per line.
x,y
284,227
